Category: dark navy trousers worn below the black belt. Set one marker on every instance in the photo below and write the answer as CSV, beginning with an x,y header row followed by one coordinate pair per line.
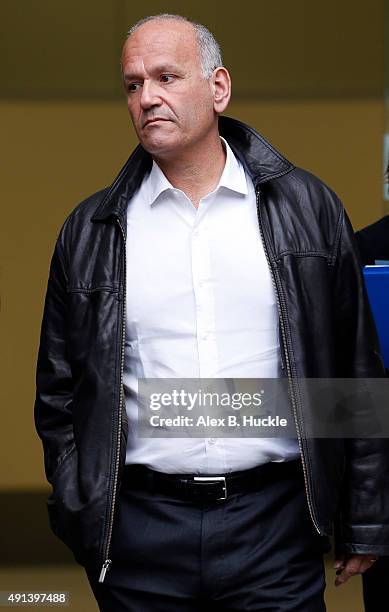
x,y
253,551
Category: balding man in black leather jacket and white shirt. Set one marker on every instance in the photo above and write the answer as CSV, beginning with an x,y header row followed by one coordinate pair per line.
x,y
210,256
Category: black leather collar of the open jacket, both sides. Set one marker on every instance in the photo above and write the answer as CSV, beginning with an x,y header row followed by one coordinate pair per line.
x,y
260,159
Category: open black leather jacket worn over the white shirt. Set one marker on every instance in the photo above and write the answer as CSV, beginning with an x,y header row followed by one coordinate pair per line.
x,y
326,331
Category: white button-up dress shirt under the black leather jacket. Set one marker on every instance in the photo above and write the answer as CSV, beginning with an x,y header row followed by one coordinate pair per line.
x,y
200,304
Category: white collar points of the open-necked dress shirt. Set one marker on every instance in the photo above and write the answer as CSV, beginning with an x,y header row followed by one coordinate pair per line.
x,y
233,177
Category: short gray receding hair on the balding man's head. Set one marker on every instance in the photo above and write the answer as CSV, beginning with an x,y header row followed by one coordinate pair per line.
x,y
209,49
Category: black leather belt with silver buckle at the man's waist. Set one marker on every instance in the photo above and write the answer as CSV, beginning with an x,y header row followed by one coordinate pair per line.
x,y
207,488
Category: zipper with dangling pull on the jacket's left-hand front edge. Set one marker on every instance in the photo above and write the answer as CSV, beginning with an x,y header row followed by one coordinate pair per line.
x,y
107,563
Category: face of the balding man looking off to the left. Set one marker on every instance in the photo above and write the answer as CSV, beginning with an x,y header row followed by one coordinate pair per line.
x,y
170,102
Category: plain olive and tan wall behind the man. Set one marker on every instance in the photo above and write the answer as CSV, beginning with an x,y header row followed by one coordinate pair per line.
x,y
311,86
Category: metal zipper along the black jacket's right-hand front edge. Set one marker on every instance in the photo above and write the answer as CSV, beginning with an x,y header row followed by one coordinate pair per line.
x,y
281,311
